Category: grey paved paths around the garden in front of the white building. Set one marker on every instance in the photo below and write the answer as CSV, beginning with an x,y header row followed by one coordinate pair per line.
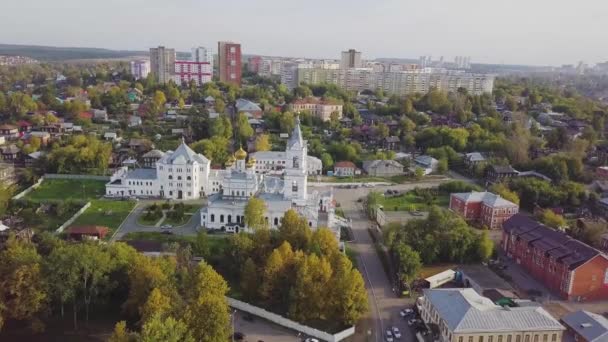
x,y
131,225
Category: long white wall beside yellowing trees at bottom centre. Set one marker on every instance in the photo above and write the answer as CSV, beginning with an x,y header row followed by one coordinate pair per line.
x,y
287,323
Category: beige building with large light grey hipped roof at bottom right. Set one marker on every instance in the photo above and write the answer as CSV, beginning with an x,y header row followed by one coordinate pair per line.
x,y
462,315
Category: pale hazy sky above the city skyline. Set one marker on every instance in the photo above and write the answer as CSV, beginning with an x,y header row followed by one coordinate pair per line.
x,y
541,32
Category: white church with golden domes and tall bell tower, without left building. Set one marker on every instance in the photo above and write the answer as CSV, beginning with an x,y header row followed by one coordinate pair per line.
x,y
240,182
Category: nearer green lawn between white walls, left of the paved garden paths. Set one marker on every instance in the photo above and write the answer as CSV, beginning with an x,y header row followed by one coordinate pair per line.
x,y
105,213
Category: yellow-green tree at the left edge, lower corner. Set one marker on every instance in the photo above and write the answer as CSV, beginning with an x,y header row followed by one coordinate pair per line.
x,y
22,288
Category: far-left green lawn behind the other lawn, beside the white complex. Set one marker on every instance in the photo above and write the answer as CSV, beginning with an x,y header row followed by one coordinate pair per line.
x,y
67,189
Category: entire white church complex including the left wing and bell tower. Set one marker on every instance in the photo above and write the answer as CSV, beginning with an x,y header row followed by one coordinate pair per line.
x,y
184,174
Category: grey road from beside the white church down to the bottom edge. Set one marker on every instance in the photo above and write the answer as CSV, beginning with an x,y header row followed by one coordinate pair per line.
x,y
384,303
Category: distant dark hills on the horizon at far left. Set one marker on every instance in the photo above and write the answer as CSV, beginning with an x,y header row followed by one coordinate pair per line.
x,y
54,54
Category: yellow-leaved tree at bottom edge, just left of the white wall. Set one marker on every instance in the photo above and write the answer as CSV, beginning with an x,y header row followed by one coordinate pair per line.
x,y
206,314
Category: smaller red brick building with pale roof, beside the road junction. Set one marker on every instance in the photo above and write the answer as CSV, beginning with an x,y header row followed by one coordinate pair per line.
x,y
485,208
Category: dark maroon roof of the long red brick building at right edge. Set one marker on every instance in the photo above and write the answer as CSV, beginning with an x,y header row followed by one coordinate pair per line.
x,y
557,244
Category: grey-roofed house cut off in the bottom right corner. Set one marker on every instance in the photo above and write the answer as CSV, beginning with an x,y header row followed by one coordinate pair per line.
x,y
586,326
